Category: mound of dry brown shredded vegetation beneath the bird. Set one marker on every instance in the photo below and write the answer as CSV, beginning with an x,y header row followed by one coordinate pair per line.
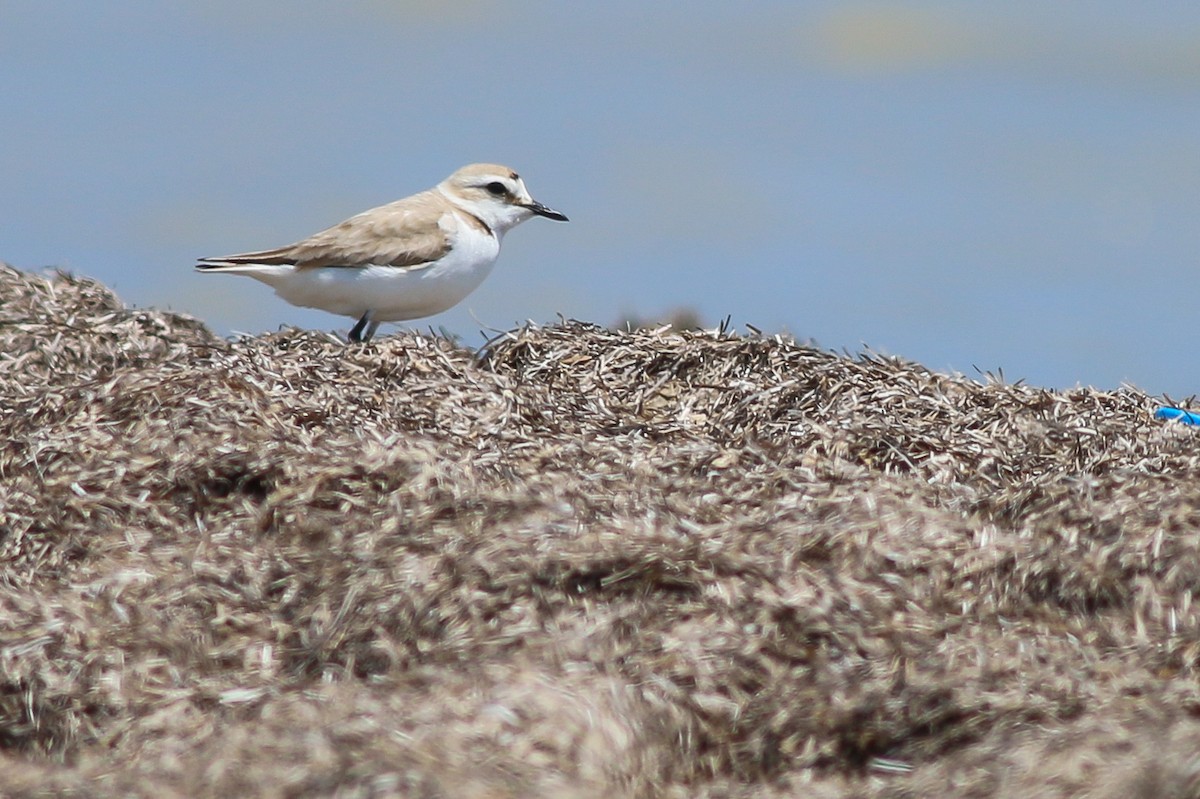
x,y
579,564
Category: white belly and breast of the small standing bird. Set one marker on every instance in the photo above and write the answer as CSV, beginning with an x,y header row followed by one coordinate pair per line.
x,y
391,293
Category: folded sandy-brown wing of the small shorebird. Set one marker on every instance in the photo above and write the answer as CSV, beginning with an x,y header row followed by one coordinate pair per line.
x,y
405,233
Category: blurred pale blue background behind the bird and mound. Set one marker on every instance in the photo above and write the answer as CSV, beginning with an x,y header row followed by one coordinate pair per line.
x,y
976,187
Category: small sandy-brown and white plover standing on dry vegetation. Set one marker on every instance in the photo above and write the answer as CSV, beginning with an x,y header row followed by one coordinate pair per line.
x,y
404,261
